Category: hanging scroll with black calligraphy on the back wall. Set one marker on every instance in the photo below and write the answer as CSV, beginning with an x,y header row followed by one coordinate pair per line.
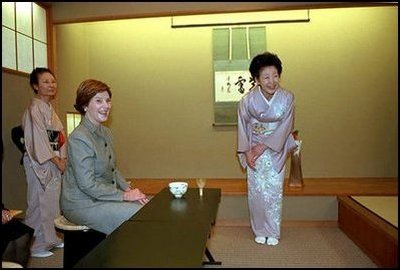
x,y
233,49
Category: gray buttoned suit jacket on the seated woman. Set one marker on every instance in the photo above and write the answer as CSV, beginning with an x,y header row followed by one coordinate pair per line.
x,y
91,176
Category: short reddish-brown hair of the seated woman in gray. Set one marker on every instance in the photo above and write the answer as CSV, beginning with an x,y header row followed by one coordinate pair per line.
x,y
86,91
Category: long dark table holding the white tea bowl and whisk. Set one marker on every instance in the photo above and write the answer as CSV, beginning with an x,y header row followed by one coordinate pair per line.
x,y
166,232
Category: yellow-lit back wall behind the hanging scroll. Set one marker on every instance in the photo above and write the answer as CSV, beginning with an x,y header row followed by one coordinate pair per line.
x,y
342,68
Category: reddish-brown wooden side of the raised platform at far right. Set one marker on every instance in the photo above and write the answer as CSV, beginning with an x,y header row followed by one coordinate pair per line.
x,y
373,234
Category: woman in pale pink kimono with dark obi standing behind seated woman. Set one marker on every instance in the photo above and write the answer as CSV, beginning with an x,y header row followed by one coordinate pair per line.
x,y
44,162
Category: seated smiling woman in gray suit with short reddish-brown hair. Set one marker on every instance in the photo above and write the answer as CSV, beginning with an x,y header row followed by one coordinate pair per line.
x,y
94,193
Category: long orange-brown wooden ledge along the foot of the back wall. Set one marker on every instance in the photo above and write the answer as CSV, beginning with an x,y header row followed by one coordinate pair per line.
x,y
312,186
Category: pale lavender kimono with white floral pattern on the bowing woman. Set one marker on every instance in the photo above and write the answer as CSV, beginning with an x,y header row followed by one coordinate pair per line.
x,y
270,123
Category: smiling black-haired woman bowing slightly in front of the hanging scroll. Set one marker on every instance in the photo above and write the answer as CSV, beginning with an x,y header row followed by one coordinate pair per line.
x,y
265,125
